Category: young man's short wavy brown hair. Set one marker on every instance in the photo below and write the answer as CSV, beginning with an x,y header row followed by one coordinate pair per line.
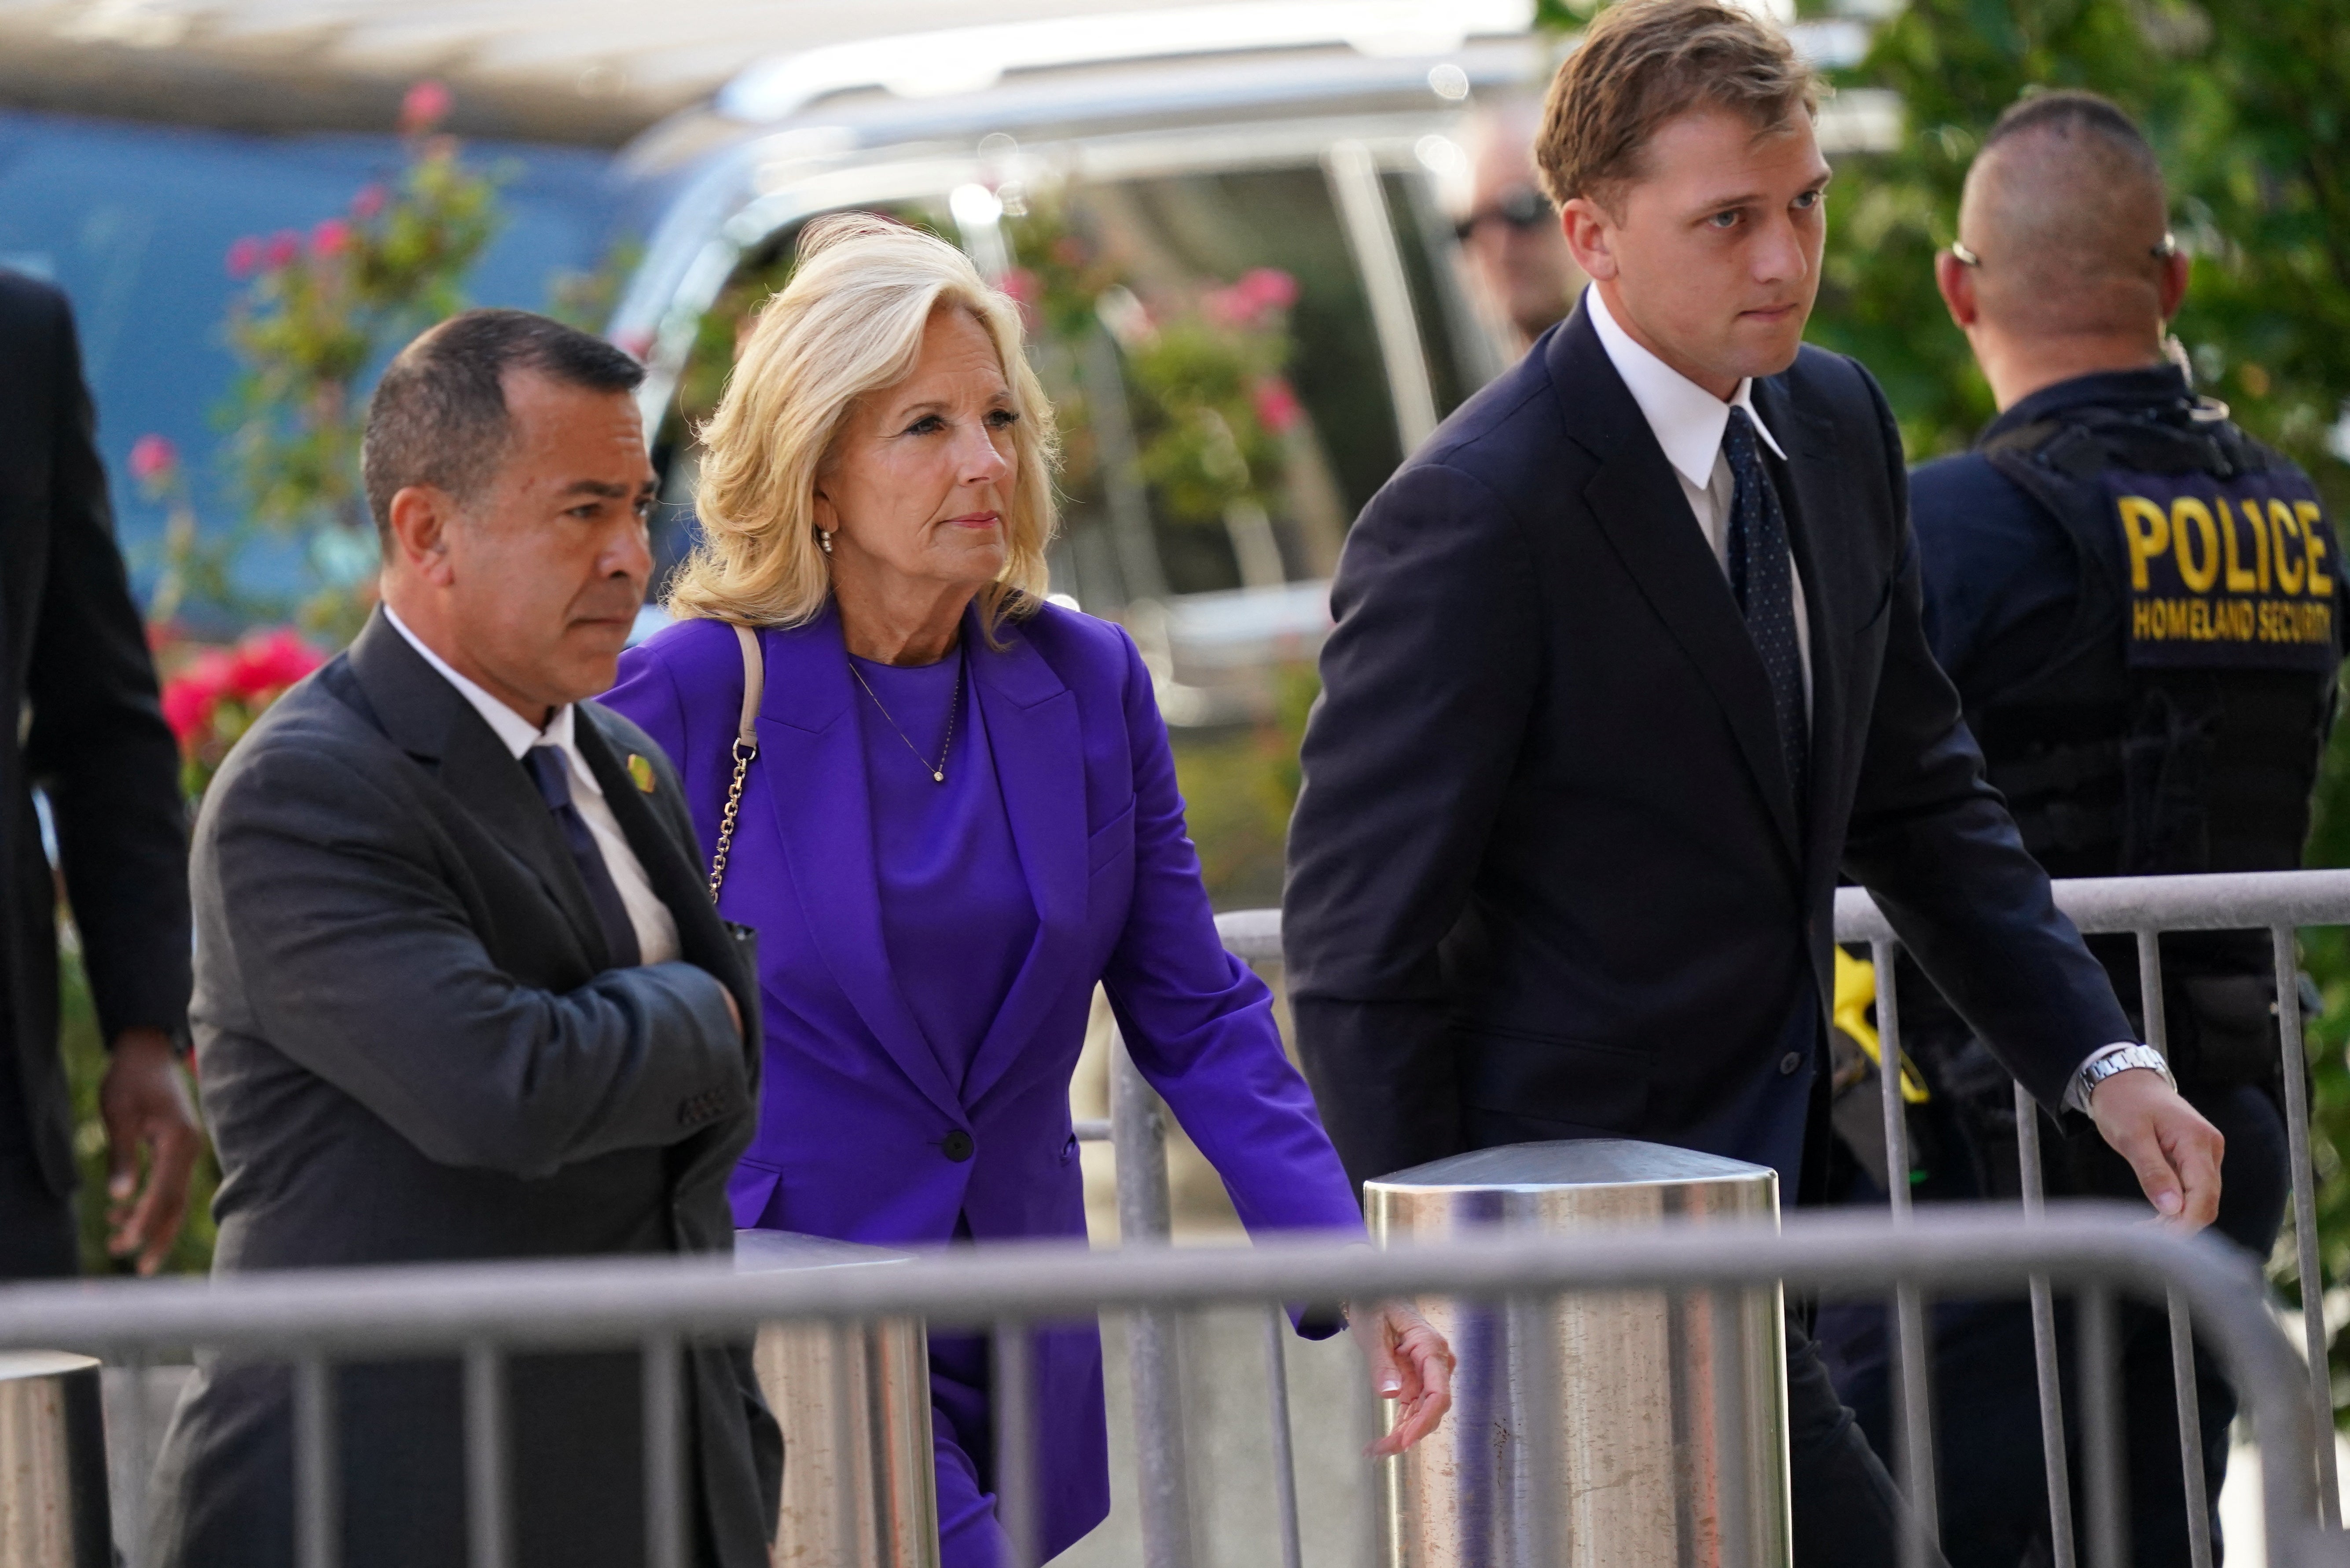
x,y
1641,65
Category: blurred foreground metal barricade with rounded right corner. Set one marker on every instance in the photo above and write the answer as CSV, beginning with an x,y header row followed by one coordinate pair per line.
x,y
490,1313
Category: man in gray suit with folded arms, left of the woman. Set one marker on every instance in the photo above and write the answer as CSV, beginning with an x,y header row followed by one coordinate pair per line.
x,y
462,993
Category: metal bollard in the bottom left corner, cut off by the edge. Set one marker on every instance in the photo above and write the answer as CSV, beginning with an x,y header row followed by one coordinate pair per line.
x,y
53,1463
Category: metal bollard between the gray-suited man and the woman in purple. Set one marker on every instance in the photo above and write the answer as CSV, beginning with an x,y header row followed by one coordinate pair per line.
x,y
854,1400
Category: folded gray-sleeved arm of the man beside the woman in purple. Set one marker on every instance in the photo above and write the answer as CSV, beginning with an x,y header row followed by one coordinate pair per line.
x,y
375,981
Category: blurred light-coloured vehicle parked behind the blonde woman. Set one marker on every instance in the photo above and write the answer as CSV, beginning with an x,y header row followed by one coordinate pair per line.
x,y
1235,232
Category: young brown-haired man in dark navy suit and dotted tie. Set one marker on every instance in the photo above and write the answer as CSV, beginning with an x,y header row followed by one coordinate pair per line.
x,y
1627,669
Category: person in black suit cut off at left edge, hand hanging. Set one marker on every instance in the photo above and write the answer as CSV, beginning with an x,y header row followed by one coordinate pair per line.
x,y
74,659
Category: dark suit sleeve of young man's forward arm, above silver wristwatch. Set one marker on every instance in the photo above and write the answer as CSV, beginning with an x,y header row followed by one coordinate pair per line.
x,y
1938,850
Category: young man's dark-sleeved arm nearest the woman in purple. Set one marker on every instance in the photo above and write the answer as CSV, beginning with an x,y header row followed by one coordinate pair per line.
x,y
1428,681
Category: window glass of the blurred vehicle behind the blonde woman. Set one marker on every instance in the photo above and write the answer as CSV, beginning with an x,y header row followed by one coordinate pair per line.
x,y
1211,356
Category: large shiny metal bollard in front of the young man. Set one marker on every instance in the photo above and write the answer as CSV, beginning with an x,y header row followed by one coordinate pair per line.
x,y
1611,1428
